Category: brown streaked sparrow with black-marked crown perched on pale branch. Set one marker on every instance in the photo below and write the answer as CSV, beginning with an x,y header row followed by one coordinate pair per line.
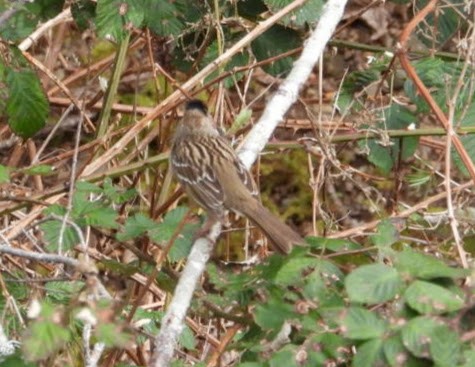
x,y
205,164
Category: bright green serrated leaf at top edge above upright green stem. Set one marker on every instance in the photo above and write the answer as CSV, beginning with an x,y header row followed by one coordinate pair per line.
x,y
113,17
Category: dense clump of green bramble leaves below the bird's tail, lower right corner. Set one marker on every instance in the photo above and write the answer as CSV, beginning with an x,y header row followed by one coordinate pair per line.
x,y
307,293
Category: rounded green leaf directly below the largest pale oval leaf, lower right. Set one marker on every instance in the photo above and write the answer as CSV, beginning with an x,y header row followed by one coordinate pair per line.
x,y
361,324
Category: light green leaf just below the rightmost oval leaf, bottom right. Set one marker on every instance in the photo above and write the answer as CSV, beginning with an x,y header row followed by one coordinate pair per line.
x,y
417,333
